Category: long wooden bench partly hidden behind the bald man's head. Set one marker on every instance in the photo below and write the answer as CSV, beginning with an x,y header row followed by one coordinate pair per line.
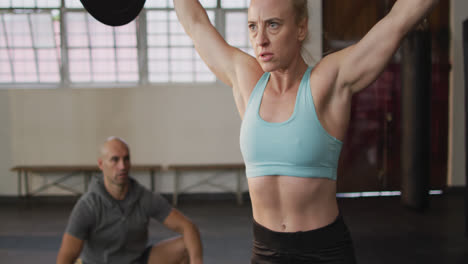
x,y
24,172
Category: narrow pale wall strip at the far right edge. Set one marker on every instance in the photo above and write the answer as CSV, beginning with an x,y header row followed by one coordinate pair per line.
x,y
456,163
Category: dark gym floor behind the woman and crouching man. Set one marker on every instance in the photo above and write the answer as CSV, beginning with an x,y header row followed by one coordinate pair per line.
x,y
383,230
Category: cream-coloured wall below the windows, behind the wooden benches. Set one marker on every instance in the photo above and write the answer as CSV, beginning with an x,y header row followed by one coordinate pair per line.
x,y
187,124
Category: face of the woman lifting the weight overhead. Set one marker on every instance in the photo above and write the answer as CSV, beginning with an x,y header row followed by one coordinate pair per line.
x,y
274,34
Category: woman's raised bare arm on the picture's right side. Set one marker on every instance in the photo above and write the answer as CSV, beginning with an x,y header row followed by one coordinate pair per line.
x,y
360,64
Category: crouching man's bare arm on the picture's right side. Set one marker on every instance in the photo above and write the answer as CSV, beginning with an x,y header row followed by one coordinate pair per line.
x,y
177,222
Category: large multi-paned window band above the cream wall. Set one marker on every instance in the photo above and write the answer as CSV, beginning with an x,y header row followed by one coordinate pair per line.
x,y
152,49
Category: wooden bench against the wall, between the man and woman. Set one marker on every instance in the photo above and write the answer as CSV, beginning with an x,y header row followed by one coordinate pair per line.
x,y
181,168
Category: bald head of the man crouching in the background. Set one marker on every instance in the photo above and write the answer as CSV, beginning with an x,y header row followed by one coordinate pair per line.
x,y
114,161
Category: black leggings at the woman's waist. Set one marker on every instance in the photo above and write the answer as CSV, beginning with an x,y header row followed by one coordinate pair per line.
x,y
331,244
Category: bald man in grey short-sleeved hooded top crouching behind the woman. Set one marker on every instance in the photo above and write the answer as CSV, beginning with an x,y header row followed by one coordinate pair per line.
x,y
109,224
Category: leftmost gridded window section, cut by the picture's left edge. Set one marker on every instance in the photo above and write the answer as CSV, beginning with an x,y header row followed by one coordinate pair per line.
x,y
26,49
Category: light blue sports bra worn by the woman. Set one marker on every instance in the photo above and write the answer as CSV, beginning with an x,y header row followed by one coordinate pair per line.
x,y
299,146
